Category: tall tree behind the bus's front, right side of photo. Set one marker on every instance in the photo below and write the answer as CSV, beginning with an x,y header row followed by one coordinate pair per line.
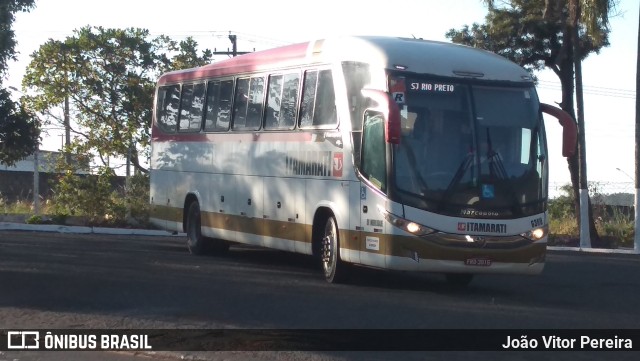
x,y
538,34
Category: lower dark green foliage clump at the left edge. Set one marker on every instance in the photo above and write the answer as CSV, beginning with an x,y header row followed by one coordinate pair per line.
x,y
18,131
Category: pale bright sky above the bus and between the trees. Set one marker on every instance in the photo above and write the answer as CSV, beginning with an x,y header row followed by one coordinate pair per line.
x,y
608,78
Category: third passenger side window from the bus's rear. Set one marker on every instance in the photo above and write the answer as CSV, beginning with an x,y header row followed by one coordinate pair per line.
x,y
219,95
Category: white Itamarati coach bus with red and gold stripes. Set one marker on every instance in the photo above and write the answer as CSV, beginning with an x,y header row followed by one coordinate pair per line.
x,y
391,153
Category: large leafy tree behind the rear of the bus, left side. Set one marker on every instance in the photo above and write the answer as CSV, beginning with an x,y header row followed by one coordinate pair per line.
x,y
108,76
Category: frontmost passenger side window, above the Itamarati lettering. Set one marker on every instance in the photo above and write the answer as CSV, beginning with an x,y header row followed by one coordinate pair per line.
x,y
318,108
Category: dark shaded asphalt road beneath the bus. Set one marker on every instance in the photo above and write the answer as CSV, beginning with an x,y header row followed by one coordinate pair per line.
x,y
50,280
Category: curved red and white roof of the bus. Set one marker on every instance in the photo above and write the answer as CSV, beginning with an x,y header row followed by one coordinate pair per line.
x,y
413,55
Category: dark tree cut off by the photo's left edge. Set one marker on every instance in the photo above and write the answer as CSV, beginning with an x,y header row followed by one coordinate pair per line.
x,y
18,129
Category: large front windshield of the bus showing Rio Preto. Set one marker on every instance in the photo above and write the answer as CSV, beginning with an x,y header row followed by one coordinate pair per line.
x,y
470,150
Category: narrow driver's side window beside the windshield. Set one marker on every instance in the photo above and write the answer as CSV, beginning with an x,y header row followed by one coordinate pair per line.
x,y
373,163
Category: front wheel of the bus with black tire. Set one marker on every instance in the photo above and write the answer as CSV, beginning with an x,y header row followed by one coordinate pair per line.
x,y
335,270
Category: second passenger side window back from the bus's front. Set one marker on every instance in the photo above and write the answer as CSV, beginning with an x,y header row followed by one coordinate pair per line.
x,y
281,101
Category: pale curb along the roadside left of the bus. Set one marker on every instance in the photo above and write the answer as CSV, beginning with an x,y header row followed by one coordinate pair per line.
x,y
9,226
